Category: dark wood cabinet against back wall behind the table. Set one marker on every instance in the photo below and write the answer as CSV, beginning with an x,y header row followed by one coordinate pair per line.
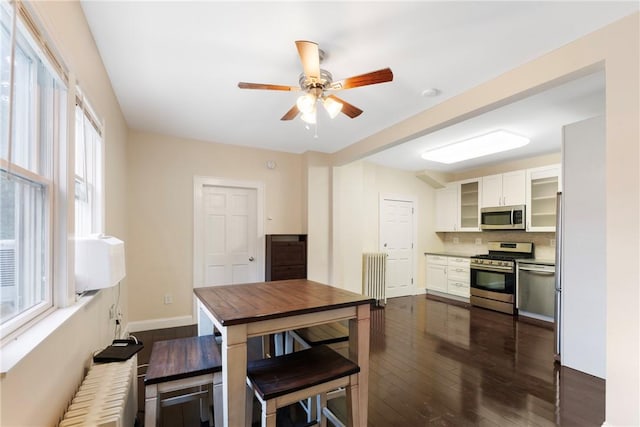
x,y
286,256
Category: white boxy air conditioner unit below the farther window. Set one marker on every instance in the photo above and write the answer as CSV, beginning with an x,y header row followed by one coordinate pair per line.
x,y
99,262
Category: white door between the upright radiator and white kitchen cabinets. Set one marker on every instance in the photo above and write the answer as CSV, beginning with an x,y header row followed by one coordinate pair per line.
x,y
396,239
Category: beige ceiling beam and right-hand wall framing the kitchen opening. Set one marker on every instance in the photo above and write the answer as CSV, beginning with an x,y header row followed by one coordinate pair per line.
x,y
615,49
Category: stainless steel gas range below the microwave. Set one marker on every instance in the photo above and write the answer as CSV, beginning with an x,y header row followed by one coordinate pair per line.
x,y
493,275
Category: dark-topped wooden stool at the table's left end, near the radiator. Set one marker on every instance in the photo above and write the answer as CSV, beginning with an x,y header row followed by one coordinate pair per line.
x,y
181,364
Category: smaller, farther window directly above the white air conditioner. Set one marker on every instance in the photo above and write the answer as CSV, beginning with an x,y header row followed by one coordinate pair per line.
x,y
88,170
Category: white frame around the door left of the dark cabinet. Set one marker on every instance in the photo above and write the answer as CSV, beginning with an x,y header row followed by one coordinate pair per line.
x,y
199,182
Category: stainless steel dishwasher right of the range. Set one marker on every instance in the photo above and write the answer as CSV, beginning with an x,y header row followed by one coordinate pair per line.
x,y
536,289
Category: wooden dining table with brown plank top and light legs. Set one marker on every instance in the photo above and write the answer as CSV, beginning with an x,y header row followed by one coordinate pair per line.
x,y
258,309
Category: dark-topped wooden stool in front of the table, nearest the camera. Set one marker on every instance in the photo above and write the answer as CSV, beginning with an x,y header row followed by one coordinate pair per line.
x,y
283,380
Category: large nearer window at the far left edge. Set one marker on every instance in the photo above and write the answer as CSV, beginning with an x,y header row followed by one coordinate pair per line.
x,y
27,179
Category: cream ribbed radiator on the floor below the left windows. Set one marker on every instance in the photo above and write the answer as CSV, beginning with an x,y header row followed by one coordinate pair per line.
x,y
107,397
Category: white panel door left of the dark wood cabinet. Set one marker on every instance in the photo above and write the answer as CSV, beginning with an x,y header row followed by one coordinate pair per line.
x,y
229,228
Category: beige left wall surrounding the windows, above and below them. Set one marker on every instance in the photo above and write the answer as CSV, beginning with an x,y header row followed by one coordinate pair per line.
x,y
36,391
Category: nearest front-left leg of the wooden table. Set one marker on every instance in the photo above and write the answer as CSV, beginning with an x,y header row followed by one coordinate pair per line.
x,y
234,374
